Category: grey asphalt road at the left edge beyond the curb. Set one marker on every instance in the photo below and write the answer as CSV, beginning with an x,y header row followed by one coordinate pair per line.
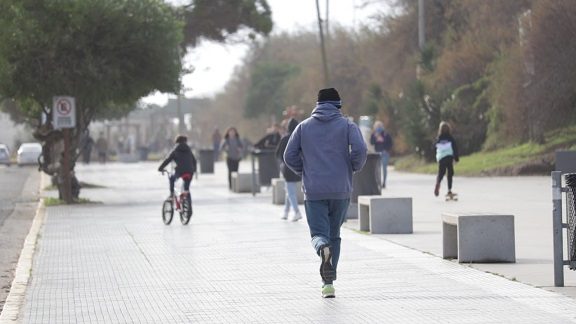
x,y
19,194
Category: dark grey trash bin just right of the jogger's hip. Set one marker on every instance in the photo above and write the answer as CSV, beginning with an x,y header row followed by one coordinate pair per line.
x,y
366,182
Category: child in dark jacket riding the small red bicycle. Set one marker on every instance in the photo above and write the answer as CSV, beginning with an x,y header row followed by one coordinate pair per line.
x,y
185,161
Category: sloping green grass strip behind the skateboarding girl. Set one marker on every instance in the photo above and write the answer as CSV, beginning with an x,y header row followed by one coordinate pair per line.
x,y
507,157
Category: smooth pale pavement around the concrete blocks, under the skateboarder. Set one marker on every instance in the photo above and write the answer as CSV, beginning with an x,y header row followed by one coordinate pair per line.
x,y
528,198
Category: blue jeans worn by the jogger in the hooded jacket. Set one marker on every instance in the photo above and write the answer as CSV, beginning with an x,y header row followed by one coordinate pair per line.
x,y
325,217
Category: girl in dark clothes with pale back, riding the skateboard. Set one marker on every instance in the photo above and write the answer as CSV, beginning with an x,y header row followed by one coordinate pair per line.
x,y
446,155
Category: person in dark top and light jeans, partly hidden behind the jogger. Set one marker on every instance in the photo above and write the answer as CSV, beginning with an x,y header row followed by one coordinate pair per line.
x,y
291,178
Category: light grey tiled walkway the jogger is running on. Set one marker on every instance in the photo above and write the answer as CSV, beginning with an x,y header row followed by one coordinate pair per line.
x,y
237,262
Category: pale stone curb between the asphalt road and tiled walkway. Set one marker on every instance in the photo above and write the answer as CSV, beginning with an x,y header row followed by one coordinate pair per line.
x,y
16,297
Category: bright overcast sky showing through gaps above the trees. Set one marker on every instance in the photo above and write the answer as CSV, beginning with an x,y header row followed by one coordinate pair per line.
x,y
214,63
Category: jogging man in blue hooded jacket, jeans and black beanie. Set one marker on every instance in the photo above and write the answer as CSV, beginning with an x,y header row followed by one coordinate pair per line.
x,y
326,149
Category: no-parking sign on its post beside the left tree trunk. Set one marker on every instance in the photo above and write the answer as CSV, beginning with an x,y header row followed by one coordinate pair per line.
x,y
64,114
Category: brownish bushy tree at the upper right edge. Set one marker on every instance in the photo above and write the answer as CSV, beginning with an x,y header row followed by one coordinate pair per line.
x,y
549,87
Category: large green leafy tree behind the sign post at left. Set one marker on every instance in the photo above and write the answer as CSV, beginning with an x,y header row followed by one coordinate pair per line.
x,y
105,53
